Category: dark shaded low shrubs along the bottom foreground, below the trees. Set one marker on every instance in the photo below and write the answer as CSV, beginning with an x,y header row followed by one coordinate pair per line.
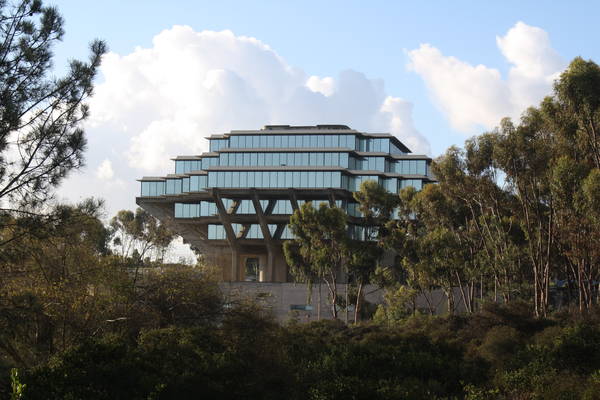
x,y
499,353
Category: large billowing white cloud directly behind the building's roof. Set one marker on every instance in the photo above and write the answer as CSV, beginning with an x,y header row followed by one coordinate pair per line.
x,y
165,99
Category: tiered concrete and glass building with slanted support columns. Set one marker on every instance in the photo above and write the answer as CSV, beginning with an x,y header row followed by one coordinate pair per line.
x,y
233,203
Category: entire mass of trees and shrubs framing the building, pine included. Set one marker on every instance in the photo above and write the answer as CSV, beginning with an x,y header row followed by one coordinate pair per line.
x,y
90,311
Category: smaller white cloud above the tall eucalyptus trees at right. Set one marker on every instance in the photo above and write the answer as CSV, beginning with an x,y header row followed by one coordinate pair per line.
x,y
477,96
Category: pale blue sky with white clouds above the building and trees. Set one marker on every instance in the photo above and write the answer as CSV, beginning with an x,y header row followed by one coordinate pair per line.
x,y
432,73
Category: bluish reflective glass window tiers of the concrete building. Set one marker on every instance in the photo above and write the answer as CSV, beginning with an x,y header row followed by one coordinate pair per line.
x,y
311,159
